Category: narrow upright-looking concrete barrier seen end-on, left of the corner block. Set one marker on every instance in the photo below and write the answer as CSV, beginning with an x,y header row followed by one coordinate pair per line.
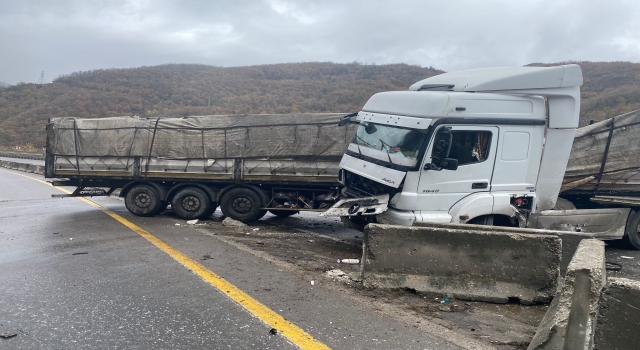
x,y
570,320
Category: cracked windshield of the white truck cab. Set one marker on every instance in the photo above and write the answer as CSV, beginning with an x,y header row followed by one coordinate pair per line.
x,y
389,143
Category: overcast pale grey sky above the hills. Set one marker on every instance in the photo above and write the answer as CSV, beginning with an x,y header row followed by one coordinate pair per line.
x,y
64,36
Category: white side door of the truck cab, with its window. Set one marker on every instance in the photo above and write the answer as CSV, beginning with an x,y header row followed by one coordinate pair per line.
x,y
474,148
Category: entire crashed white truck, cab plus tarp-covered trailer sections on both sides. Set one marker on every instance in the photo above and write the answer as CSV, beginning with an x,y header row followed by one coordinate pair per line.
x,y
484,146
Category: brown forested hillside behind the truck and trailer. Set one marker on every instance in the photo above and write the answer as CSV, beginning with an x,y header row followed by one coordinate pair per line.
x,y
610,88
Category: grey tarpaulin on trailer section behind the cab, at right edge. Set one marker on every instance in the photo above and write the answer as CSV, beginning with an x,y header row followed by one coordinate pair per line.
x,y
607,153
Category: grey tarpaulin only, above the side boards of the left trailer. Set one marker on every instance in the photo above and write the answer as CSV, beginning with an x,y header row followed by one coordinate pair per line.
x,y
220,136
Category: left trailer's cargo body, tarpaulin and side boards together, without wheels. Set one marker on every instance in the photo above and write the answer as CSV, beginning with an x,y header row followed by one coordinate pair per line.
x,y
261,147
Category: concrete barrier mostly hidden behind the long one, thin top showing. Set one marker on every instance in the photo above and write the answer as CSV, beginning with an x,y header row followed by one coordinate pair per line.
x,y
570,240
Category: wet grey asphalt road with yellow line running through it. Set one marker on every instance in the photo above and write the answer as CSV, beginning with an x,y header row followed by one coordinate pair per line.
x,y
75,278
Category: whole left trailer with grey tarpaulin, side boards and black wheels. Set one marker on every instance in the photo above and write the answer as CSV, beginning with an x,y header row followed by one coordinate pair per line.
x,y
246,164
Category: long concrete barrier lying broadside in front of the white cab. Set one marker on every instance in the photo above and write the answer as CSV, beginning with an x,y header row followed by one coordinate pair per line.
x,y
466,264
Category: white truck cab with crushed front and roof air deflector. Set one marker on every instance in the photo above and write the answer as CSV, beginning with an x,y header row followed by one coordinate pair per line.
x,y
470,146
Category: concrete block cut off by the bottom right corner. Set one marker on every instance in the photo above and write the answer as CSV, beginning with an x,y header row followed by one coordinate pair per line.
x,y
619,316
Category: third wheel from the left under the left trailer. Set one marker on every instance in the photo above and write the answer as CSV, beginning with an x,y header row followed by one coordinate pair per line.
x,y
242,204
